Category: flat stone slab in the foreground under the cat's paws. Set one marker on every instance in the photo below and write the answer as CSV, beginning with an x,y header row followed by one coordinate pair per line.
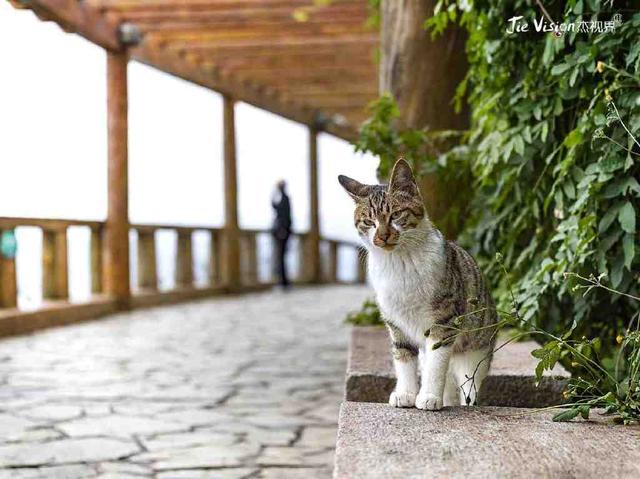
x,y
376,440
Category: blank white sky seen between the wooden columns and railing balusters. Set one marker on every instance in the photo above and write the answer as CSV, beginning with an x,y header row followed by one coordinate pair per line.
x,y
53,153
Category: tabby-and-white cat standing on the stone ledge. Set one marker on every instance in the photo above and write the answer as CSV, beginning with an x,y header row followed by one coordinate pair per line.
x,y
431,293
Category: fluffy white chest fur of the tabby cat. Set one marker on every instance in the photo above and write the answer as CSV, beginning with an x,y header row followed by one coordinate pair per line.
x,y
405,280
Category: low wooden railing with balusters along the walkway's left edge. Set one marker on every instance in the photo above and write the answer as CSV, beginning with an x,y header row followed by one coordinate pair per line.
x,y
146,291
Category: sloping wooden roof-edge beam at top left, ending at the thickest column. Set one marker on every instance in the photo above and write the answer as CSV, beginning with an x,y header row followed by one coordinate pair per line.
x,y
74,16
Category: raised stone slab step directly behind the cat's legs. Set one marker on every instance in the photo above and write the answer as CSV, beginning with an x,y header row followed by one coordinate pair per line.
x,y
511,381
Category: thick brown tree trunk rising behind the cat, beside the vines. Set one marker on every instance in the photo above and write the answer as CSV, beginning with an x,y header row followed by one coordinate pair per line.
x,y
422,75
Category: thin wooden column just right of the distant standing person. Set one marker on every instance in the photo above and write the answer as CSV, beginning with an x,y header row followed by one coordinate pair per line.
x,y
313,246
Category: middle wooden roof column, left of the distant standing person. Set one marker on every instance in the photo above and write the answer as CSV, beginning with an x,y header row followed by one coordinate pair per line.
x,y
231,252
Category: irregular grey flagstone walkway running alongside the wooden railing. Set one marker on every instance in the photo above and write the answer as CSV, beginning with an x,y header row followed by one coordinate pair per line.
x,y
230,388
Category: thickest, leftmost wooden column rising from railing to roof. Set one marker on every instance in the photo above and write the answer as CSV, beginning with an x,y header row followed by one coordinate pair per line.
x,y
116,254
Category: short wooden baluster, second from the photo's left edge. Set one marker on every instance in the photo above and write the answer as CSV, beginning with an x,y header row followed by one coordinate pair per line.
x,y
55,270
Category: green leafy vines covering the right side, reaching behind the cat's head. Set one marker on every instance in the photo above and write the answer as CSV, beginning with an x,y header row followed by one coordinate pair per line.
x,y
554,157
